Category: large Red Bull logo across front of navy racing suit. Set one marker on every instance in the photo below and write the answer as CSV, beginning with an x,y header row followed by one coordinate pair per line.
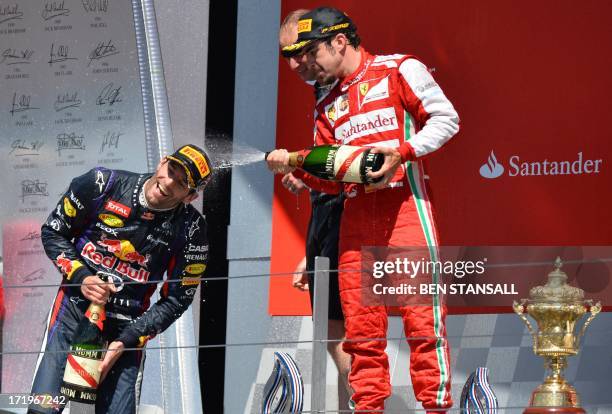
x,y
118,260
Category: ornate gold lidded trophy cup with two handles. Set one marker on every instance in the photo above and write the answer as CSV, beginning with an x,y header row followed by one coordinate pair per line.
x,y
556,307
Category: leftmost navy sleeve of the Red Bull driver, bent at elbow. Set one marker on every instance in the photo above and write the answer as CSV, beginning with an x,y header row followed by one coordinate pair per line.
x,y
69,219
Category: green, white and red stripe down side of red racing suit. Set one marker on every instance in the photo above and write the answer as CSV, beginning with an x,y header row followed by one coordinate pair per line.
x,y
417,185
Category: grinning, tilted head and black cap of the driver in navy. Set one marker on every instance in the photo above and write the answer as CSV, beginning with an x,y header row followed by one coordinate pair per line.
x,y
178,178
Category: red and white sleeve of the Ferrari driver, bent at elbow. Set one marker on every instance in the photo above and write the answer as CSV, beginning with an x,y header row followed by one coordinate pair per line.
x,y
433,112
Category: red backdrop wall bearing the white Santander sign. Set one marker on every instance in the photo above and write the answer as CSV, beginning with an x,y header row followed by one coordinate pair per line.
x,y
528,82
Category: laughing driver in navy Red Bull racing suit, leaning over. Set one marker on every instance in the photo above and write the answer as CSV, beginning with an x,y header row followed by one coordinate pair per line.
x,y
134,227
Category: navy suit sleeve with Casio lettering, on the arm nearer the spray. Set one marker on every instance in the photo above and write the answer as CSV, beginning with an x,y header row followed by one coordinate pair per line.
x,y
185,270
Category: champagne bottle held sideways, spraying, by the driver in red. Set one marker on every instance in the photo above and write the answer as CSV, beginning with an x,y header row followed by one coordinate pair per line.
x,y
346,163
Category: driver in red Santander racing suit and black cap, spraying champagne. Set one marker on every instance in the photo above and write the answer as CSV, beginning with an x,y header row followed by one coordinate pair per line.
x,y
391,103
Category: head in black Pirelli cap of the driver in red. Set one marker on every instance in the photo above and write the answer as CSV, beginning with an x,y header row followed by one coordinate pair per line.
x,y
326,36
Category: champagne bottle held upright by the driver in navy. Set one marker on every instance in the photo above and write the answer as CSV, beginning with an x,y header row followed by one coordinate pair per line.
x,y
81,376
